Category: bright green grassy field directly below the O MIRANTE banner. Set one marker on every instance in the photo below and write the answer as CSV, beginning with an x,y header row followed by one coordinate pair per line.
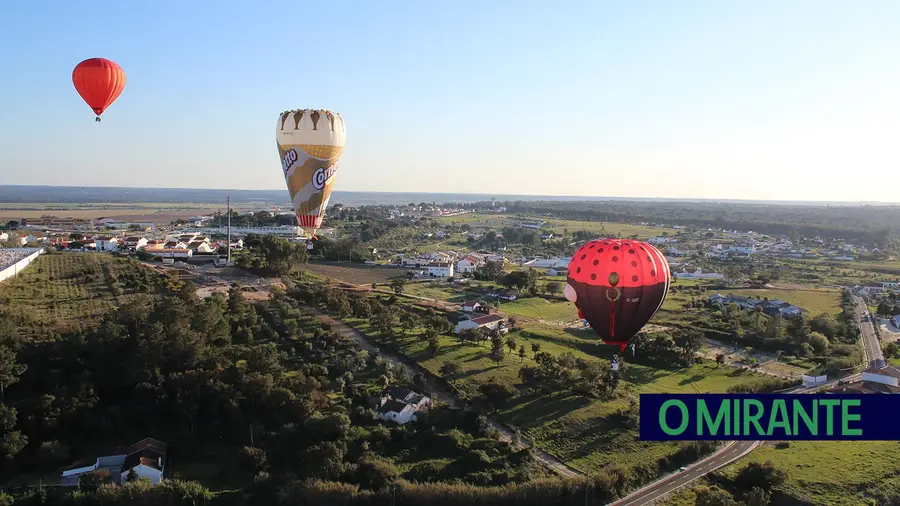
x,y
832,473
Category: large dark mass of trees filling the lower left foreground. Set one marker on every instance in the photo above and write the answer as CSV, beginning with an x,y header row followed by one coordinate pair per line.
x,y
290,400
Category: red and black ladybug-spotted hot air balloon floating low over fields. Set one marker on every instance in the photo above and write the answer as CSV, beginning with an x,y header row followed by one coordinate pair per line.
x,y
617,286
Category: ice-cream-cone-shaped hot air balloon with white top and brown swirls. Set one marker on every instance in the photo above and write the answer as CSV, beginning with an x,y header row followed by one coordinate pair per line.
x,y
310,145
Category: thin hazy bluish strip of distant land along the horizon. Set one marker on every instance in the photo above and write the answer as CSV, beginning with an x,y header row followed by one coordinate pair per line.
x,y
11,195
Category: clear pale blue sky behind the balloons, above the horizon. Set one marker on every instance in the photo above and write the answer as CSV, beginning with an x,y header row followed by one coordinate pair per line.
x,y
763,99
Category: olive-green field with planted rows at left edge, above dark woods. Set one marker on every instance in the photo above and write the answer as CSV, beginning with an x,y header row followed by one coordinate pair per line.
x,y
68,291
